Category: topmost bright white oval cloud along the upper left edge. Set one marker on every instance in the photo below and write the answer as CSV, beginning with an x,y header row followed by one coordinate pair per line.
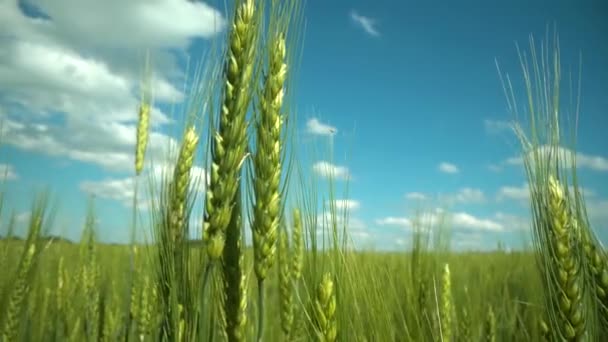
x,y
136,24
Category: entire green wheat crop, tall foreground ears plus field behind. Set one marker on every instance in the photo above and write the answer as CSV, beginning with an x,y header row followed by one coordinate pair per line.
x,y
176,289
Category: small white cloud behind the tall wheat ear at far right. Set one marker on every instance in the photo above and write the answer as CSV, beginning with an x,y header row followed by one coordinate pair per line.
x,y
584,161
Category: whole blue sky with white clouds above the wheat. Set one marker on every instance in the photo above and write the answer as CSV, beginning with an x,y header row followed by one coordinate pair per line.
x,y
410,89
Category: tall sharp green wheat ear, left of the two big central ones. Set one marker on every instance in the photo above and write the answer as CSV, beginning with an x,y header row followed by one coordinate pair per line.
x,y
230,141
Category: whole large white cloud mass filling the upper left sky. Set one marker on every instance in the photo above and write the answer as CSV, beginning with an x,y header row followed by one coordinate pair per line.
x,y
70,79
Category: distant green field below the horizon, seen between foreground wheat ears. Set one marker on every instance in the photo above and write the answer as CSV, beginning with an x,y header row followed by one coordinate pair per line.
x,y
385,303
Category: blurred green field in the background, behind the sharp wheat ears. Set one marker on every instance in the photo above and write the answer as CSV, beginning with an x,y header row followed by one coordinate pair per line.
x,y
381,307
